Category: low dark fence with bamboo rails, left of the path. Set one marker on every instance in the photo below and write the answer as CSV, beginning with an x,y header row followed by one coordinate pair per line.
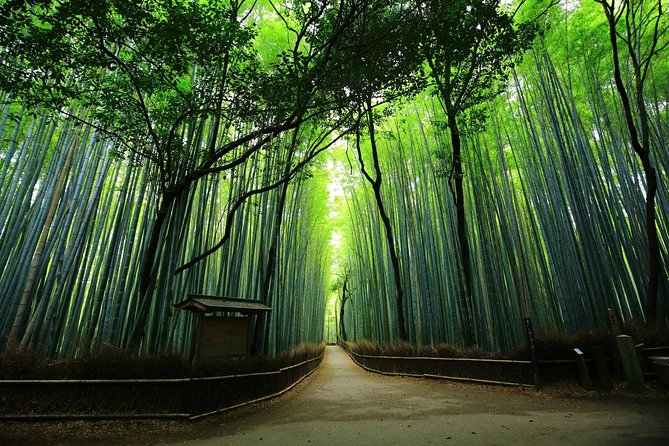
x,y
186,398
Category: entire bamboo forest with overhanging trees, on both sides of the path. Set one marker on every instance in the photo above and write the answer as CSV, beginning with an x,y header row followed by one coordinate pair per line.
x,y
430,171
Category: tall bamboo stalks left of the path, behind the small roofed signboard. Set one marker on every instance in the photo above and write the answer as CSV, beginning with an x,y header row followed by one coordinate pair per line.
x,y
76,219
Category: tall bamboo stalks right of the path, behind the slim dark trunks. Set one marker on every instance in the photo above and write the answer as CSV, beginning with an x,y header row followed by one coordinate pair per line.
x,y
555,213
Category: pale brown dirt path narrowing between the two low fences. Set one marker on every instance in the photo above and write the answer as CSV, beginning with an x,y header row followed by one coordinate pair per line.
x,y
344,405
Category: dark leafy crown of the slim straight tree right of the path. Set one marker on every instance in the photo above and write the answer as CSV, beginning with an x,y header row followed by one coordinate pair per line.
x,y
470,47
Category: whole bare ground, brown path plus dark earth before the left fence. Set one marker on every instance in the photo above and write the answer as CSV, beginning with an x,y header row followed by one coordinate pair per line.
x,y
341,404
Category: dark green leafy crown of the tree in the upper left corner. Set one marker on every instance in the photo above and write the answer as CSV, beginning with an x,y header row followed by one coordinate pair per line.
x,y
133,64
